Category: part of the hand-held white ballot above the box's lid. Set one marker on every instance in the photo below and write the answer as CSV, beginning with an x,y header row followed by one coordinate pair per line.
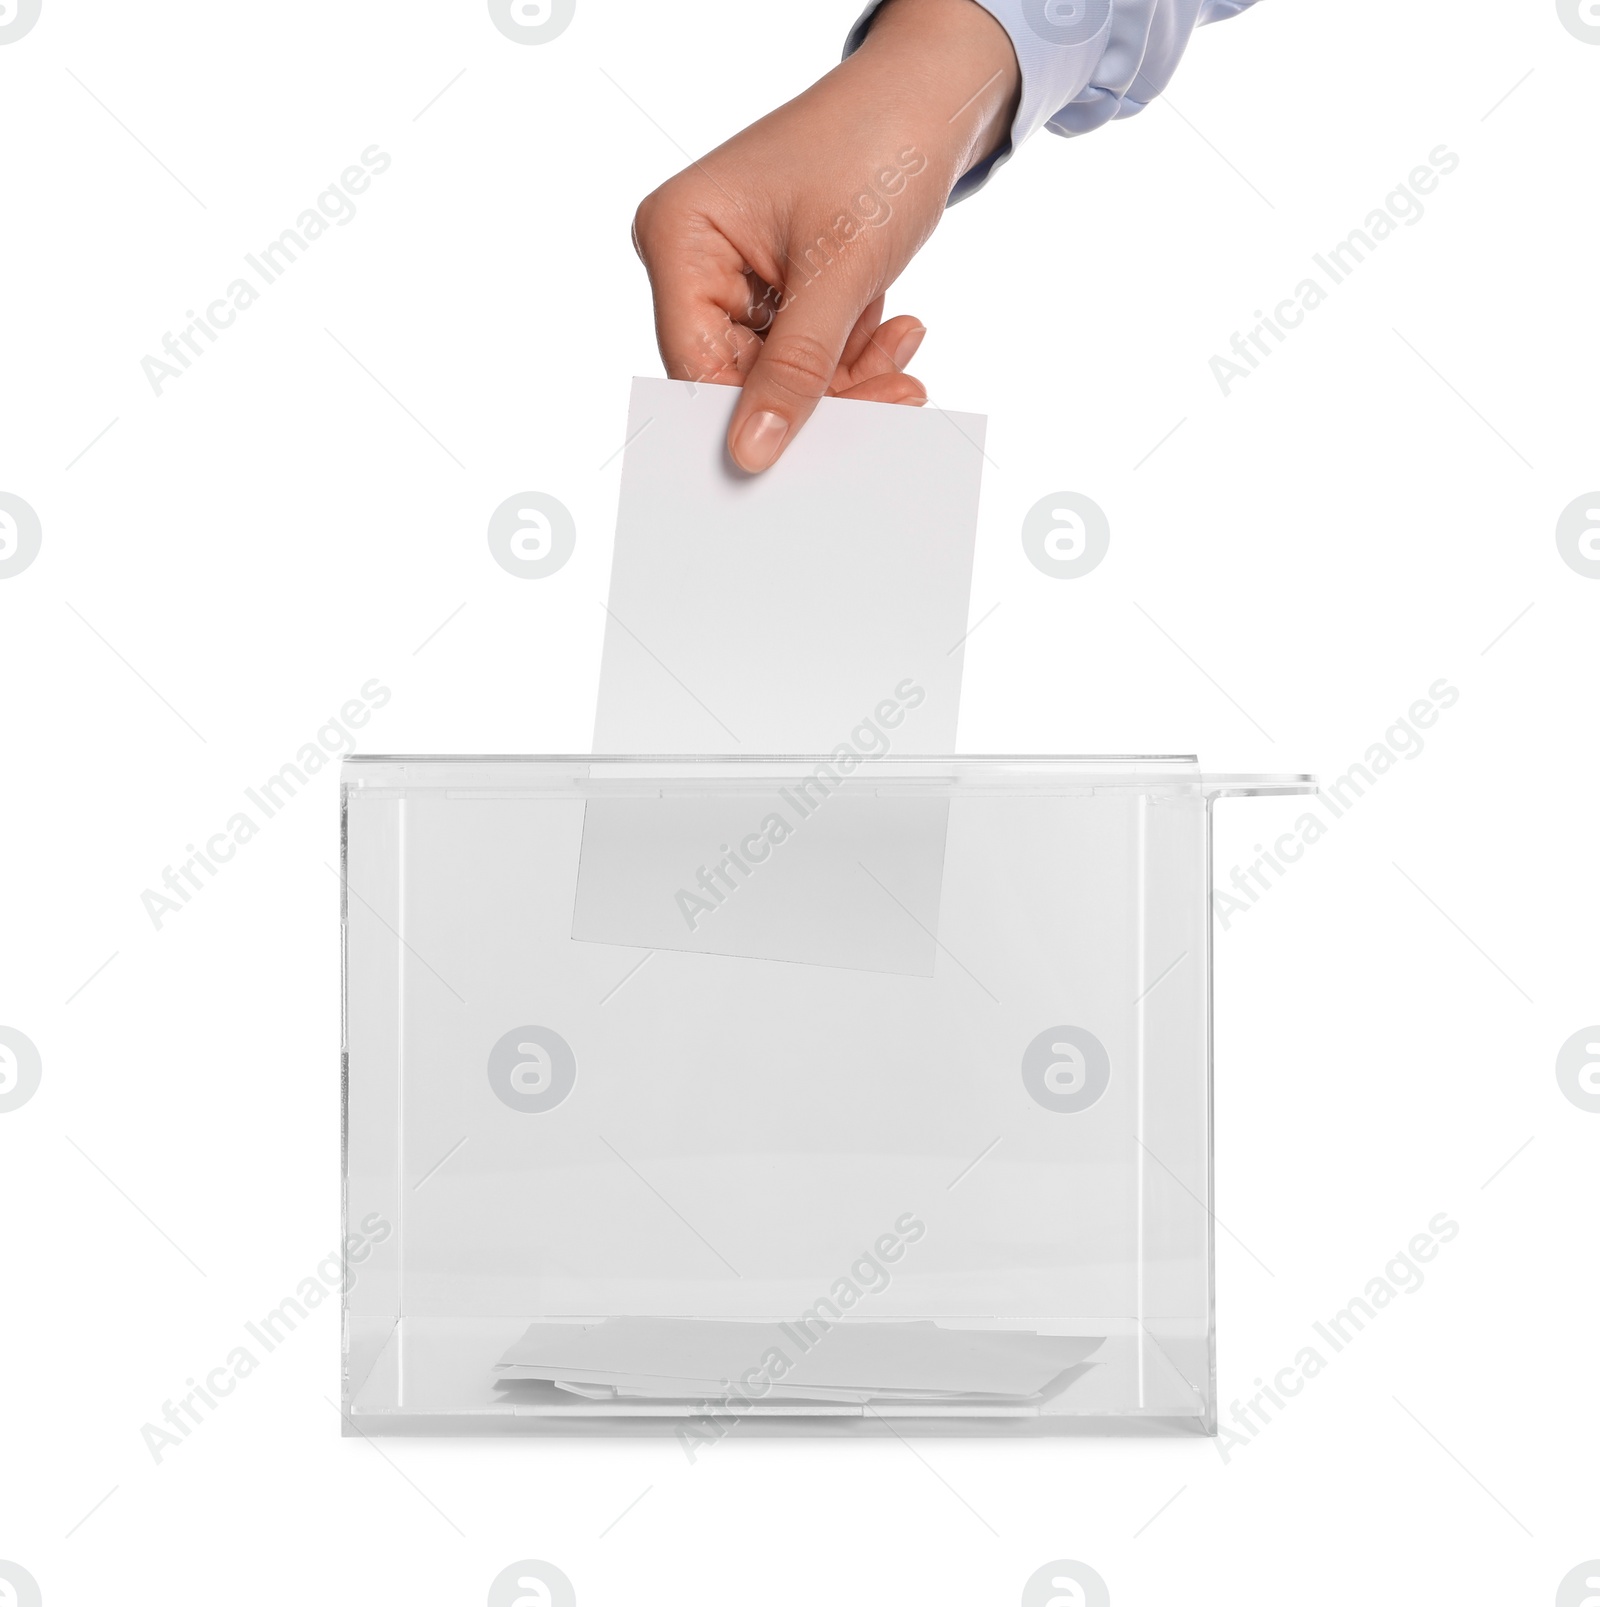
x,y
775,613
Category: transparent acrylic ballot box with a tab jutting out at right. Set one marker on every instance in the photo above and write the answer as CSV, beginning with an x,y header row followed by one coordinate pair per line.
x,y
778,1095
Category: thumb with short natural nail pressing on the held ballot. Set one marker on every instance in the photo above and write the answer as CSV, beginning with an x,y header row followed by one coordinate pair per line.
x,y
791,375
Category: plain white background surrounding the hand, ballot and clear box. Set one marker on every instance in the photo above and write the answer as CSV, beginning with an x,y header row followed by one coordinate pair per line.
x,y
226,566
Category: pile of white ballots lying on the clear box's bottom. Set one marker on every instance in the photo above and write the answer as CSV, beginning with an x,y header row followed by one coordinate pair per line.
x,y
653,1360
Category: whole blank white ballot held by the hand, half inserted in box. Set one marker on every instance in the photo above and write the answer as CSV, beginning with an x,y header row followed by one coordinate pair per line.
x,y
815,610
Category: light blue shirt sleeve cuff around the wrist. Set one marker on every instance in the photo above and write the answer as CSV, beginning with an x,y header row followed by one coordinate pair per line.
x,y
1084,62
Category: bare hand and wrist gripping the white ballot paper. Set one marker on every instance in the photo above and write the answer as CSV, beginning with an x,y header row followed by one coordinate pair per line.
x,y
770,258
